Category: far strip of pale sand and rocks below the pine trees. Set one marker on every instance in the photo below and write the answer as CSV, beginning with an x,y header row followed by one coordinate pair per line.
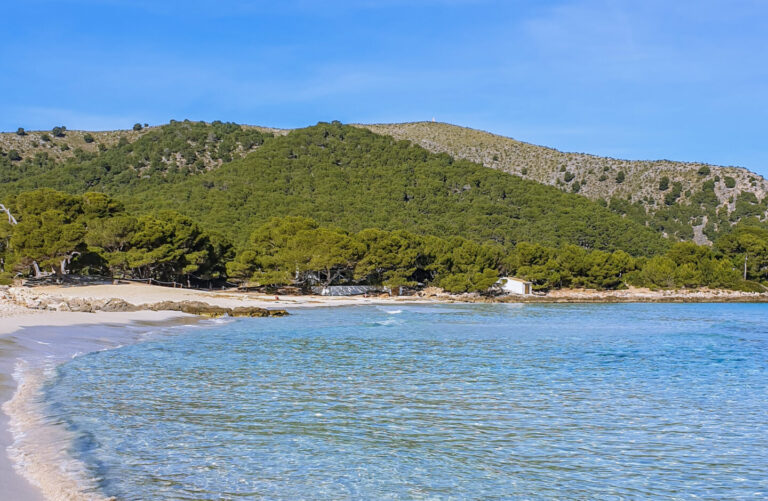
x,y
143,297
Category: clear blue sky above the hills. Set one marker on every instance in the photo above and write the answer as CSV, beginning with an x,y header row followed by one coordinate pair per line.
x,y
640,79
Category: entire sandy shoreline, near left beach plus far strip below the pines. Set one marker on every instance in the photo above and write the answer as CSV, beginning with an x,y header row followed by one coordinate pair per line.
x,y
35,338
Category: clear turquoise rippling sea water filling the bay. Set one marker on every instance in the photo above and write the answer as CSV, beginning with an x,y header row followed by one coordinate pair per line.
x,y
432,402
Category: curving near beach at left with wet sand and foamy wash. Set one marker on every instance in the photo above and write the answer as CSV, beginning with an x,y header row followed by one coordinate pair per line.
x,y
33,464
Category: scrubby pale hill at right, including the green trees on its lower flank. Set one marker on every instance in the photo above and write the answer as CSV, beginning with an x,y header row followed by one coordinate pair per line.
x,y
689,201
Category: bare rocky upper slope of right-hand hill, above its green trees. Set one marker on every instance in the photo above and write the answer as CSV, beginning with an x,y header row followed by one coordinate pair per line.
x,y
592,176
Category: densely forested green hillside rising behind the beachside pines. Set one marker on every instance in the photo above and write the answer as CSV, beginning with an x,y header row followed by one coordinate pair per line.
x,y
335,174
